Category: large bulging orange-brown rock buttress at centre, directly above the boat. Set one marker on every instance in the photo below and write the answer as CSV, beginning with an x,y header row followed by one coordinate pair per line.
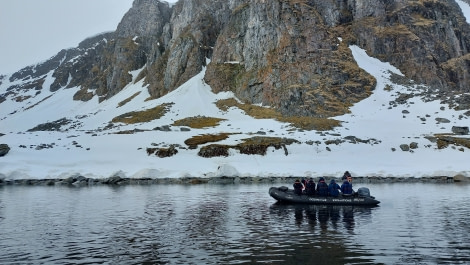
x,y
285,54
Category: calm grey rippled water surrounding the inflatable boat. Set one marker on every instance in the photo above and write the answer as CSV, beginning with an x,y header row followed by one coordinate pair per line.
x,y
232,224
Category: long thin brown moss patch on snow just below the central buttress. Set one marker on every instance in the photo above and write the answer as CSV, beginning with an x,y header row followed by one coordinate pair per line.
x,y
257,112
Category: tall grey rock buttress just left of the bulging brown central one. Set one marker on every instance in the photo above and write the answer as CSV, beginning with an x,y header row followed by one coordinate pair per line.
x,y
188,40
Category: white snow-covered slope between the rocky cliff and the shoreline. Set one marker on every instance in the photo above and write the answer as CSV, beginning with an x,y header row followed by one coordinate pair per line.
x,y
85,147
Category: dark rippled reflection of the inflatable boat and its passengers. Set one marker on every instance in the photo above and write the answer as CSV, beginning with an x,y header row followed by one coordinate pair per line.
x,y
325,232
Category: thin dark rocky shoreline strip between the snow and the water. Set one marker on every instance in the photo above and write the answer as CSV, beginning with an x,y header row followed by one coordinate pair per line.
x,y
116,180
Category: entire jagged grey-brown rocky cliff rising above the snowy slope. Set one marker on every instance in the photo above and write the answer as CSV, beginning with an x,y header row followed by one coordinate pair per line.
x,y
289,54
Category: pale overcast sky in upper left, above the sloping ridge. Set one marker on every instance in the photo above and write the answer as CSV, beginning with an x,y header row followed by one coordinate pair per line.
x,y
32,31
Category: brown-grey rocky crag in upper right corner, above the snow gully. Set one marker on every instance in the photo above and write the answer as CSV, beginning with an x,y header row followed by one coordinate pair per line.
x,y
428,41
